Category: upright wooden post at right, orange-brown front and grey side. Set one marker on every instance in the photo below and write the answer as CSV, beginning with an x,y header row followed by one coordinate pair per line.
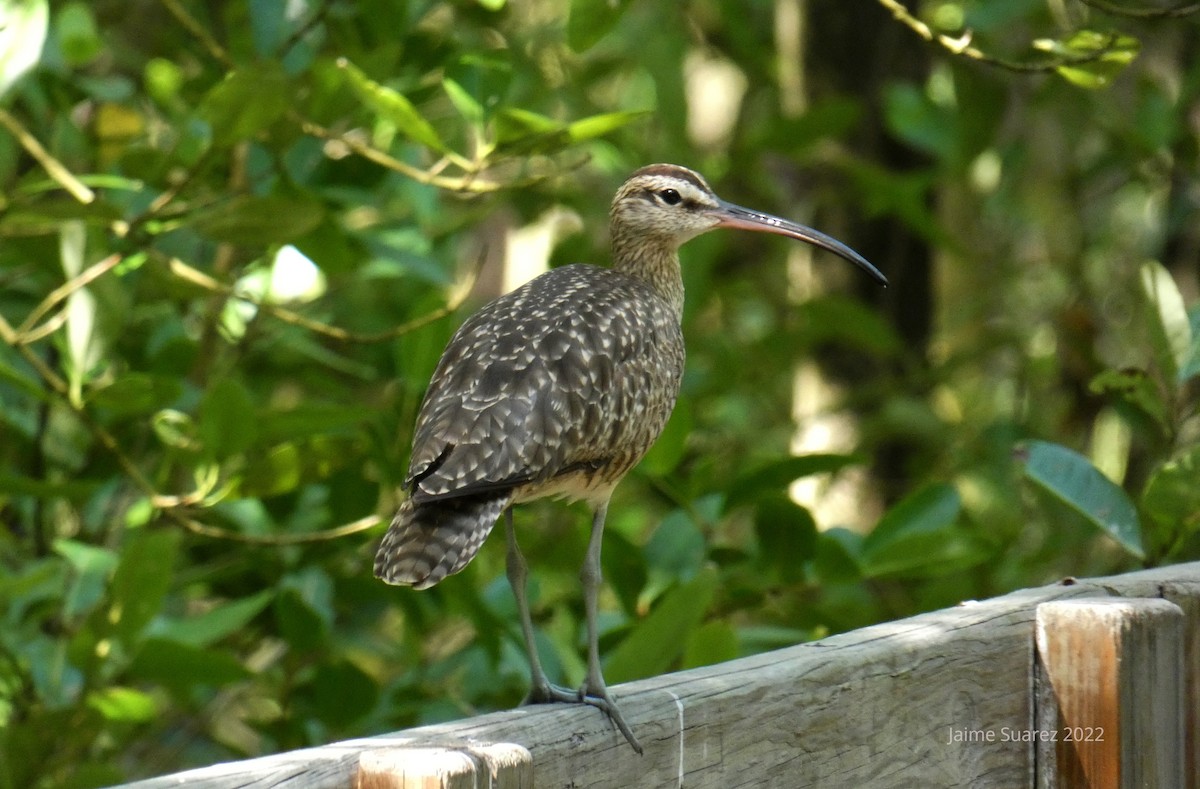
x,y
1114,713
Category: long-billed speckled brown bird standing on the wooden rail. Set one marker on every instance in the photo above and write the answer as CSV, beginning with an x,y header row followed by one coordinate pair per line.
x,y
559,389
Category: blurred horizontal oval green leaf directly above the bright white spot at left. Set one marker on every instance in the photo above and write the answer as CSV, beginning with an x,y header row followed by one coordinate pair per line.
x,y
249,220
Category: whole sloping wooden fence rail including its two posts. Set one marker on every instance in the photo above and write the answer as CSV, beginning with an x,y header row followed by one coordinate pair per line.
x,y
1088,683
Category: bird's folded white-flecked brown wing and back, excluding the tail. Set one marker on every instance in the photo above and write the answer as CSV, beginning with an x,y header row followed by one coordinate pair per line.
x,y
567,371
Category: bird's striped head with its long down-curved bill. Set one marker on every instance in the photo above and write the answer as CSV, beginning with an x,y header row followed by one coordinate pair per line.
x,y
673,206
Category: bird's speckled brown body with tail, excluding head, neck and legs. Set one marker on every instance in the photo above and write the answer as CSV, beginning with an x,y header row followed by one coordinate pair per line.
x,y
557,388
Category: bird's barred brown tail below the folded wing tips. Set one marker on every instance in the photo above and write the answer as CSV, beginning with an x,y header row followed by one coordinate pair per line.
x,y
433,540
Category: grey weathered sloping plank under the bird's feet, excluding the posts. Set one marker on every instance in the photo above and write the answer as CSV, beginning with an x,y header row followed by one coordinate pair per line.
x,y
940,700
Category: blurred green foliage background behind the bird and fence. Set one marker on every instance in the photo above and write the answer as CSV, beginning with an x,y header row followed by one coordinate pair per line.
x,y
235,238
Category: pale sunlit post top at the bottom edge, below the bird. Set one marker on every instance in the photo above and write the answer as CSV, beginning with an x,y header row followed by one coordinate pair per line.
x,y
499,766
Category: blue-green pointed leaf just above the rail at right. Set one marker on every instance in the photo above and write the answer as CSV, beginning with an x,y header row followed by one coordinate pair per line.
x,y
1073,480
